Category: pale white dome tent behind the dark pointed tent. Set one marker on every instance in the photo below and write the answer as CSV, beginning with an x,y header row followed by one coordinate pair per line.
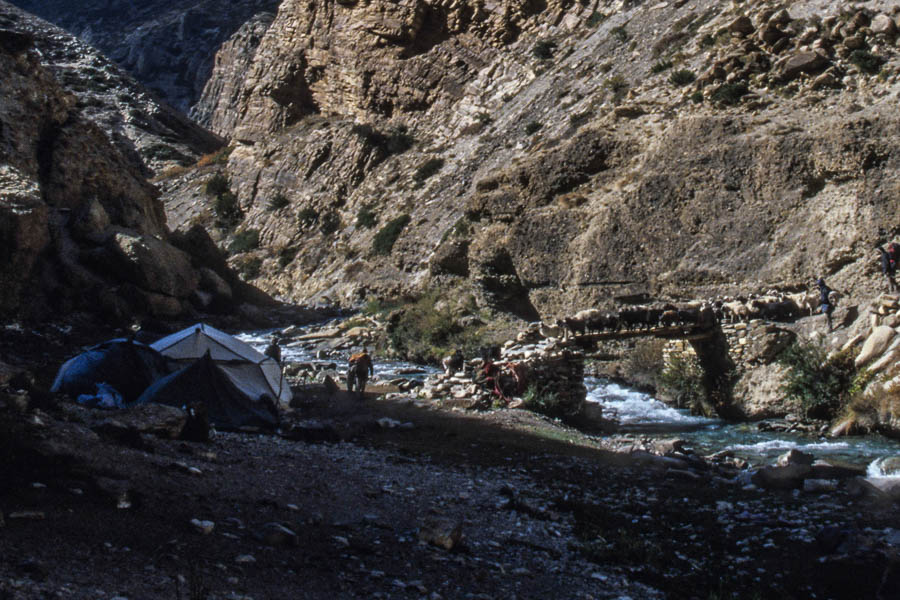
x,y
253,373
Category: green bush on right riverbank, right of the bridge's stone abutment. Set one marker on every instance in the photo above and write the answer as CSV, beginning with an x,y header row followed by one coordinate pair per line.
x,y
821,385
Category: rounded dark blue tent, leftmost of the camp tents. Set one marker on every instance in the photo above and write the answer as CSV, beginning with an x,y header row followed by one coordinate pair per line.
x,y
124,365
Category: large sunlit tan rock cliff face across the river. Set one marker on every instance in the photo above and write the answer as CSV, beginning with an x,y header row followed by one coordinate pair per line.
x,y
550,156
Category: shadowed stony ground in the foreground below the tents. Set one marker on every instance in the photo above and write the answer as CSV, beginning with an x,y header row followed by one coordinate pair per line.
x,y
397,497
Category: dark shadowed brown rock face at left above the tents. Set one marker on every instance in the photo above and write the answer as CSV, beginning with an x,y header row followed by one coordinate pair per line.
x,y
80,227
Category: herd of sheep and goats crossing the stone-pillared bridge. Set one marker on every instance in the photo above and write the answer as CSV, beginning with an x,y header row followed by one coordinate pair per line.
x,y
687,319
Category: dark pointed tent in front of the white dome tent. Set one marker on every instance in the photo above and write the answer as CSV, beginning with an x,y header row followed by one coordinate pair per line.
x,y
203,382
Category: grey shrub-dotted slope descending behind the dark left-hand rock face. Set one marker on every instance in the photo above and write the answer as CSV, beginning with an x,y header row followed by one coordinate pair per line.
x,y
151,134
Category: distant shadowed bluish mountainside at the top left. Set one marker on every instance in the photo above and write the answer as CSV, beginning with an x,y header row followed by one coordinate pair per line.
x,y
167,45
